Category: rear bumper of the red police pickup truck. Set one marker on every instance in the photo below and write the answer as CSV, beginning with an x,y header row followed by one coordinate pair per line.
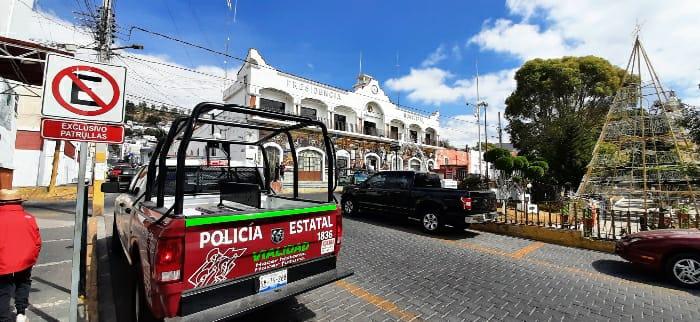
x,y
197,306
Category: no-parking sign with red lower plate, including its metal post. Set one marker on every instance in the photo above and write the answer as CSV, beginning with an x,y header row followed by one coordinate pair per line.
x,y
82,101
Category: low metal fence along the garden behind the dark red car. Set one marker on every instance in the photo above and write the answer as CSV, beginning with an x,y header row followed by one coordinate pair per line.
x,y
609,223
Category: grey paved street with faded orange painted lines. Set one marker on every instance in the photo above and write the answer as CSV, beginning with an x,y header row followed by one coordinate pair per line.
x,y
403,274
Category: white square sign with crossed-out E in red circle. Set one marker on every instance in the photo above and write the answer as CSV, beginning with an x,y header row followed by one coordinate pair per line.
x,y
80,90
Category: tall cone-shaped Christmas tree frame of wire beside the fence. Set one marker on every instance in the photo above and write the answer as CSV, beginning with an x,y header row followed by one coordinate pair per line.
x,y
643,153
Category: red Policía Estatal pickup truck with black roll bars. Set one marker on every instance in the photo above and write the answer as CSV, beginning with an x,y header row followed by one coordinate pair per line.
x,y
207,240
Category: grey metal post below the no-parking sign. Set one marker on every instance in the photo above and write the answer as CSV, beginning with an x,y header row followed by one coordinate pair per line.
x,y
78,231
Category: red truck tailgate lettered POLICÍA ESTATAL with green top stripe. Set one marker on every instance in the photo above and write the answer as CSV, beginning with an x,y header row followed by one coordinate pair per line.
x,y
231,247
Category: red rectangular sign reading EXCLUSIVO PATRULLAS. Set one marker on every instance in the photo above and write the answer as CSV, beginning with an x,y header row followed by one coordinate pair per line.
x,y
82,131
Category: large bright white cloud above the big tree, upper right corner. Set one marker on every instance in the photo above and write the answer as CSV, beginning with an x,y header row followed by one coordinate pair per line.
x,y
603,28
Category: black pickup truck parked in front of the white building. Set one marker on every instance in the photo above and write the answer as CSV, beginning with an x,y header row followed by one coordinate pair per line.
x,y
419,195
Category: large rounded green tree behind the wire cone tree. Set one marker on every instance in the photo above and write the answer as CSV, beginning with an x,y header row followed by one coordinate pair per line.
x,y
558,108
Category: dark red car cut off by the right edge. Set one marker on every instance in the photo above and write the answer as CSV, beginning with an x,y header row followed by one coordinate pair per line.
x,y
676,252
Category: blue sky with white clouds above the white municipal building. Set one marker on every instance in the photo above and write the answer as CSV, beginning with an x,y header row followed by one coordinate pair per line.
x,y
437,42
